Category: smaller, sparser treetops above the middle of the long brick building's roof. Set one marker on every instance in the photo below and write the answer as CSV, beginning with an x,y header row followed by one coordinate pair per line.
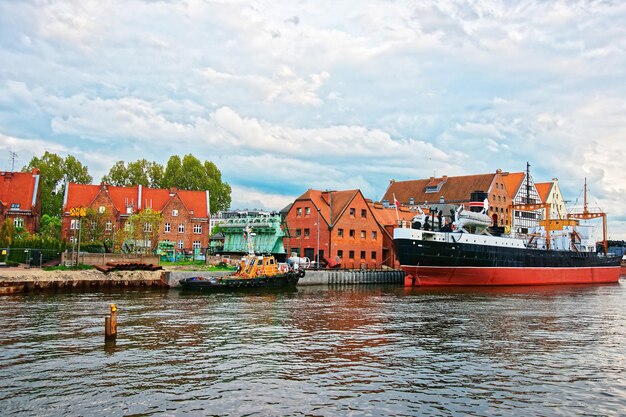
x,y
140,172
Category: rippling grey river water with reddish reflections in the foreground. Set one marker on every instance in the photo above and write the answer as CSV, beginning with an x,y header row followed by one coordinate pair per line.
x,y
376,350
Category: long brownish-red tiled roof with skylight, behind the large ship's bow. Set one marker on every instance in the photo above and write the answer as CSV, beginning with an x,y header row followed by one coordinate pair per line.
x,y
452,188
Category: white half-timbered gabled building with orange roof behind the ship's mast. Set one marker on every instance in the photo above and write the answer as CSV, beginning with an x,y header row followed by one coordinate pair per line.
x,y
521,190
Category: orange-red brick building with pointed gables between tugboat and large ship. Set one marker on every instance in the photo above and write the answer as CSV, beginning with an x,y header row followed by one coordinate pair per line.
x,y
339,224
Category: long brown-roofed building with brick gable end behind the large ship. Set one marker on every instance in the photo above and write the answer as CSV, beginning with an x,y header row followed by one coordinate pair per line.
x,y
445,193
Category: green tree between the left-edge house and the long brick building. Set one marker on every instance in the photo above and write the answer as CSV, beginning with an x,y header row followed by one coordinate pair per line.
x,y
55,172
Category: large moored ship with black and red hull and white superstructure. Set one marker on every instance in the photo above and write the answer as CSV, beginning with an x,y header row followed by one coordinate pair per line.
x,y
467,252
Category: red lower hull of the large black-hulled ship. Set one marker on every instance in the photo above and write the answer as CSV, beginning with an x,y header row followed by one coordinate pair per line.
x,y
432,276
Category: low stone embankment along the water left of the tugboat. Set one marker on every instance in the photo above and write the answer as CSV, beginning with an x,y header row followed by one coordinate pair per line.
x,y
35,279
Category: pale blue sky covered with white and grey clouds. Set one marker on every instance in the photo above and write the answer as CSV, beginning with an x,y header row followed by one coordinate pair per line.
x,y
284,96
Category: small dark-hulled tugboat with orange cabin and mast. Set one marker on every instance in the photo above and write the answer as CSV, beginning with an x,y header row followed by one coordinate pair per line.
x,y
253,272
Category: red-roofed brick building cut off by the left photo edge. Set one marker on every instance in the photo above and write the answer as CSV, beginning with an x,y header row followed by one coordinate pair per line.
x,y
20,199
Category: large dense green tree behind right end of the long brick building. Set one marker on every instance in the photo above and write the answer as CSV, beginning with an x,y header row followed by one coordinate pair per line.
x,y
191,174
